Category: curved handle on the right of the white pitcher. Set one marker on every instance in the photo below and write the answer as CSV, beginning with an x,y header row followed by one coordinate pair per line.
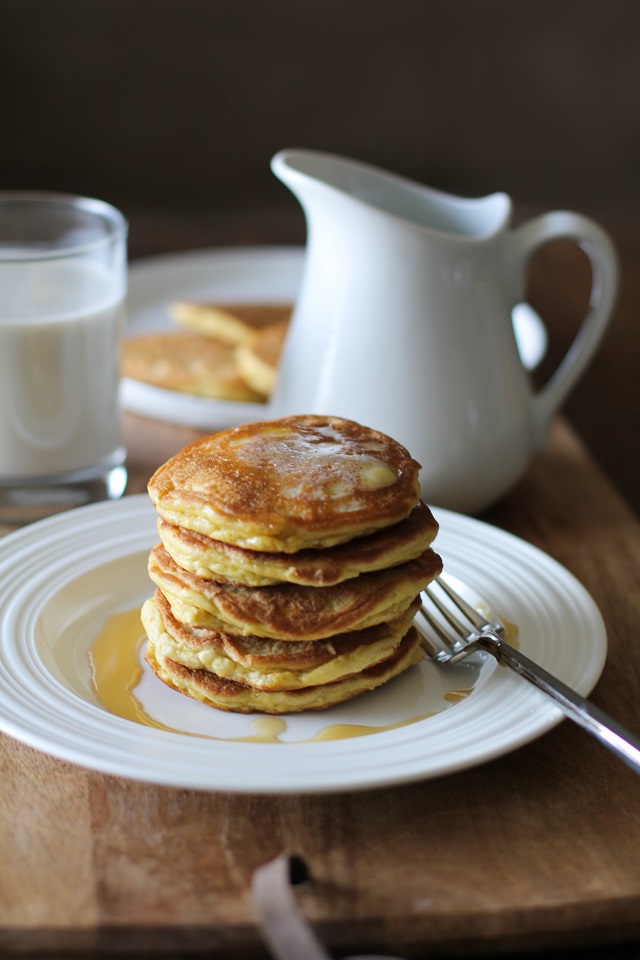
x,y
596,244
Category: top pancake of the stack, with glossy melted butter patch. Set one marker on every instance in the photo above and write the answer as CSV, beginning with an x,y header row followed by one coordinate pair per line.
x,y
289,484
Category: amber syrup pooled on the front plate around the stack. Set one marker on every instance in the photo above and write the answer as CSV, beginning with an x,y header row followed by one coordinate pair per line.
x,y
114,659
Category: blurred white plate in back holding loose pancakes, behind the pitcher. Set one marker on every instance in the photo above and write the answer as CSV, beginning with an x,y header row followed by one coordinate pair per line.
x,y
259,274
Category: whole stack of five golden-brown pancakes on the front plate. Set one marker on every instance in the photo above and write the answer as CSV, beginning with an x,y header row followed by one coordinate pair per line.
x,y
291,558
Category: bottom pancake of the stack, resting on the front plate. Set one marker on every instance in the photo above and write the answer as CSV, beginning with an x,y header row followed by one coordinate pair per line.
x,y
228,695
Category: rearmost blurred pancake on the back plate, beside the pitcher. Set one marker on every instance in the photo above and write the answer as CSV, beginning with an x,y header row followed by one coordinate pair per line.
x,y
231,323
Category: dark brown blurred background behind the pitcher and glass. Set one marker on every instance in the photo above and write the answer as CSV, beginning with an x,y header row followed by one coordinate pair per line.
x,y
172,110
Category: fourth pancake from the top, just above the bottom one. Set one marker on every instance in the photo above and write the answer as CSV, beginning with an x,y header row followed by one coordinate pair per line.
x,y
271,664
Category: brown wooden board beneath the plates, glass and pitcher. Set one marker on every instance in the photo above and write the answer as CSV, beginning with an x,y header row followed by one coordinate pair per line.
x,y
538,848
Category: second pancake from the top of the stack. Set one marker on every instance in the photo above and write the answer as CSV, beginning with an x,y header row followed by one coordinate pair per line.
x,y
226,563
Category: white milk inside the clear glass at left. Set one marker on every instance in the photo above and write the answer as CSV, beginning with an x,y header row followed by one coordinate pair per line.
x,y
60,325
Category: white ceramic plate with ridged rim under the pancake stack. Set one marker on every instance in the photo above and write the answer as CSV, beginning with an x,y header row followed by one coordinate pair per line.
x,y
62,578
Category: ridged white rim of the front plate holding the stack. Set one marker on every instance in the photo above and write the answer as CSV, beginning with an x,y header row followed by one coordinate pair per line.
x,y
477,730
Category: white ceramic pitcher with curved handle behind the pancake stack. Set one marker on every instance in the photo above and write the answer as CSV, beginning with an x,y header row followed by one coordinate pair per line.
x,y
403,322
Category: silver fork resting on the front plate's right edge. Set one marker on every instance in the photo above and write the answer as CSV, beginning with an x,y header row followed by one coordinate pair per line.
x,y
450,639
